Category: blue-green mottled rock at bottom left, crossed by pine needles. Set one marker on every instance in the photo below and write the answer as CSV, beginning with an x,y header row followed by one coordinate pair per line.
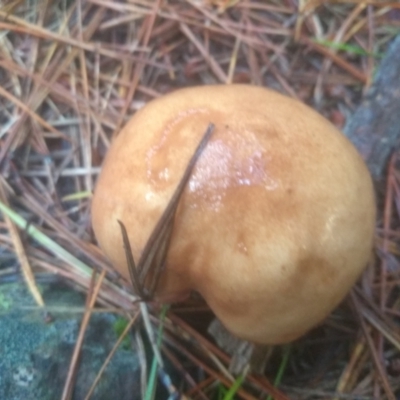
x,y
35,353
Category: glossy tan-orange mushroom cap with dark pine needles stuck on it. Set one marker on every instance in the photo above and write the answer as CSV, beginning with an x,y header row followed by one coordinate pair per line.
x,y
275,223
